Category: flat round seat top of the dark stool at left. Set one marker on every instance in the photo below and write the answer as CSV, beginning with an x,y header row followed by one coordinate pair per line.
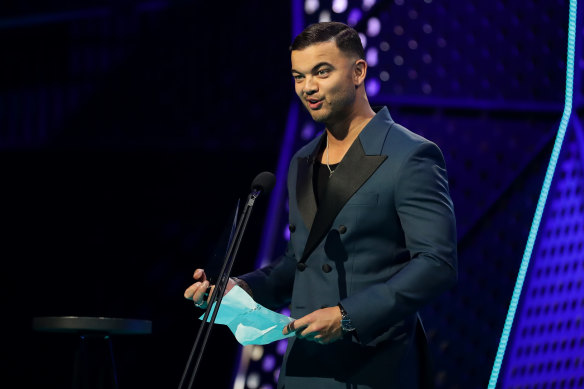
x,y
89,325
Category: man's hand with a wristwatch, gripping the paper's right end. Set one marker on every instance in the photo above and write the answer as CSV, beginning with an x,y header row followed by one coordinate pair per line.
x,y
322,326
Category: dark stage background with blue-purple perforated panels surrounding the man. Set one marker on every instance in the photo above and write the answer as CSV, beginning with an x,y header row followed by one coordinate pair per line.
x,y
130,129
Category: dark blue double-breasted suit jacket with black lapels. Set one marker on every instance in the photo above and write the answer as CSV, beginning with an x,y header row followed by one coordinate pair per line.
x,y
382,242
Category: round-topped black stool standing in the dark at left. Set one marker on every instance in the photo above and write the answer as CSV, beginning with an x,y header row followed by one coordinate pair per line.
x,y
95,366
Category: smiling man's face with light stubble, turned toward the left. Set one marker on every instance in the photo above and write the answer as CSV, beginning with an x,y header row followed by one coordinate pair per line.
x,y
324,81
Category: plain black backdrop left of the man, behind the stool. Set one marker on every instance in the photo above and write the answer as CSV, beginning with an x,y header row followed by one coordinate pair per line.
x,y
129,130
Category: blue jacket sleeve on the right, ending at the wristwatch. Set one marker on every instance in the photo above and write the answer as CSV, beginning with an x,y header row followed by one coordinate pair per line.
x,y
426,213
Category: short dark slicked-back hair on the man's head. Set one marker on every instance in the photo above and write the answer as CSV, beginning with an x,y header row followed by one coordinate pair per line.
x,y
346,38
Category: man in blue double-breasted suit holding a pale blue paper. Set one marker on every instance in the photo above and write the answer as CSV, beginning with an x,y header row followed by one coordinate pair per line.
x,y
373,235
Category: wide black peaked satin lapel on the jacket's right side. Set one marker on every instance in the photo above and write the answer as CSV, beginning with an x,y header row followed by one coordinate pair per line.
x,y
353,171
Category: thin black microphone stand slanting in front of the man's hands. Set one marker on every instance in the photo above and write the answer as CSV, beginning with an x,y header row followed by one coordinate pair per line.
x,y
219,290
